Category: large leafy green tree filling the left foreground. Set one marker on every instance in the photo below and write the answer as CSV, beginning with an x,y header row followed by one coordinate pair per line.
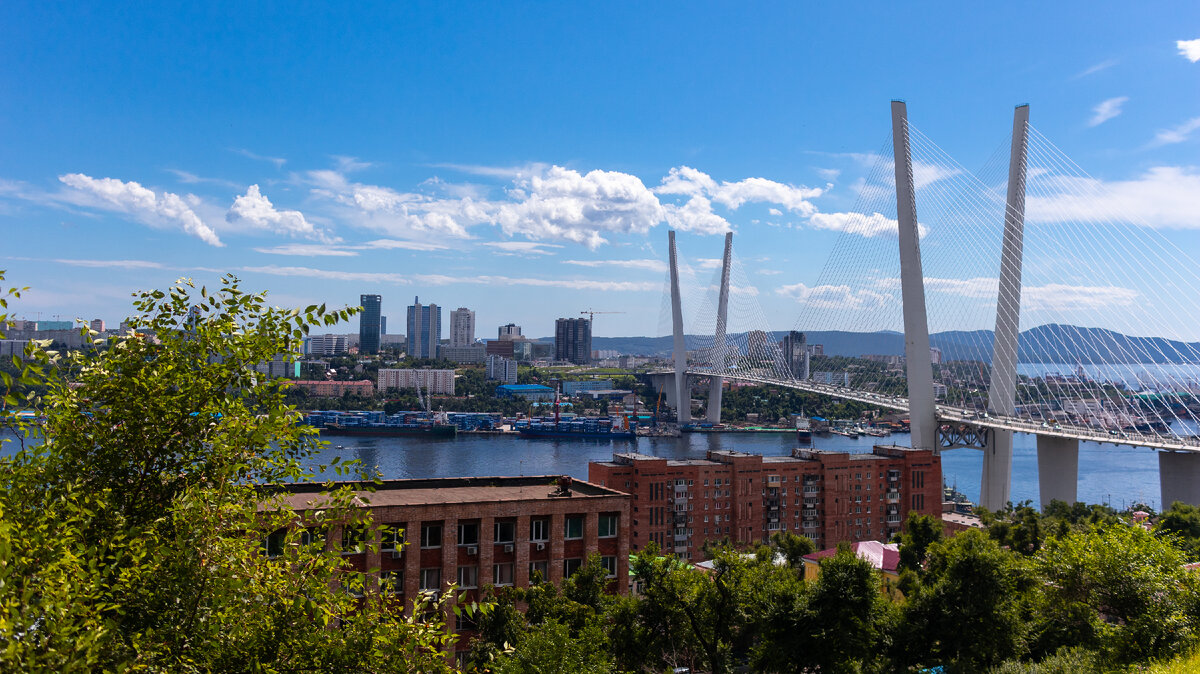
x,y
131,537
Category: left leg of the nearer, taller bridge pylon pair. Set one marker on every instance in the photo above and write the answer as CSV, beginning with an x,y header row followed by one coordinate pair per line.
x,y
922,411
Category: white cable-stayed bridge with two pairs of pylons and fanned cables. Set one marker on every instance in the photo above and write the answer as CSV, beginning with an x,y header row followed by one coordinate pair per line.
x,y
1034,242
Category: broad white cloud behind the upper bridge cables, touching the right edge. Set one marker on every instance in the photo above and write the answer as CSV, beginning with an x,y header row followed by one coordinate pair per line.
x,y
1163,197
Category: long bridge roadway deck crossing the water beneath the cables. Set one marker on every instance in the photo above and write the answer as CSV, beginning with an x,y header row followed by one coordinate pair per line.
x,y
955,416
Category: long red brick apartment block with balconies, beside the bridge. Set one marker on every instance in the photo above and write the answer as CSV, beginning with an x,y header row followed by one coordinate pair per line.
x,y
827,497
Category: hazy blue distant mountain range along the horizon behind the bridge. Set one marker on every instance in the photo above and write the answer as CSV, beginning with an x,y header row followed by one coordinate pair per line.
x,y
1043,345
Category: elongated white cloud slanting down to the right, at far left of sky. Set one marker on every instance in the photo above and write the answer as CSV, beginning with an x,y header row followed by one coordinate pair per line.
x,y
161,209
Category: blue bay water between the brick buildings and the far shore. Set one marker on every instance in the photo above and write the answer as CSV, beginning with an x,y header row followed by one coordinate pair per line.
x,y
1114,476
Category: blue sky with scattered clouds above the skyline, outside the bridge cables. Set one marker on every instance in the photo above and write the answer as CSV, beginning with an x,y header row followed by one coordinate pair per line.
x,y
526,161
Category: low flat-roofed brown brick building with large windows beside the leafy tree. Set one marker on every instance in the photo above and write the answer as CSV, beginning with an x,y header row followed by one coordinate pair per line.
x,y
479,532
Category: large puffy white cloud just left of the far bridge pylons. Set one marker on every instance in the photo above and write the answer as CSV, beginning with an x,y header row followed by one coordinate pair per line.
x,y
566,206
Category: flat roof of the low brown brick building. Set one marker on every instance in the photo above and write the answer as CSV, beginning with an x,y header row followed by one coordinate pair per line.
x,y
447,491
